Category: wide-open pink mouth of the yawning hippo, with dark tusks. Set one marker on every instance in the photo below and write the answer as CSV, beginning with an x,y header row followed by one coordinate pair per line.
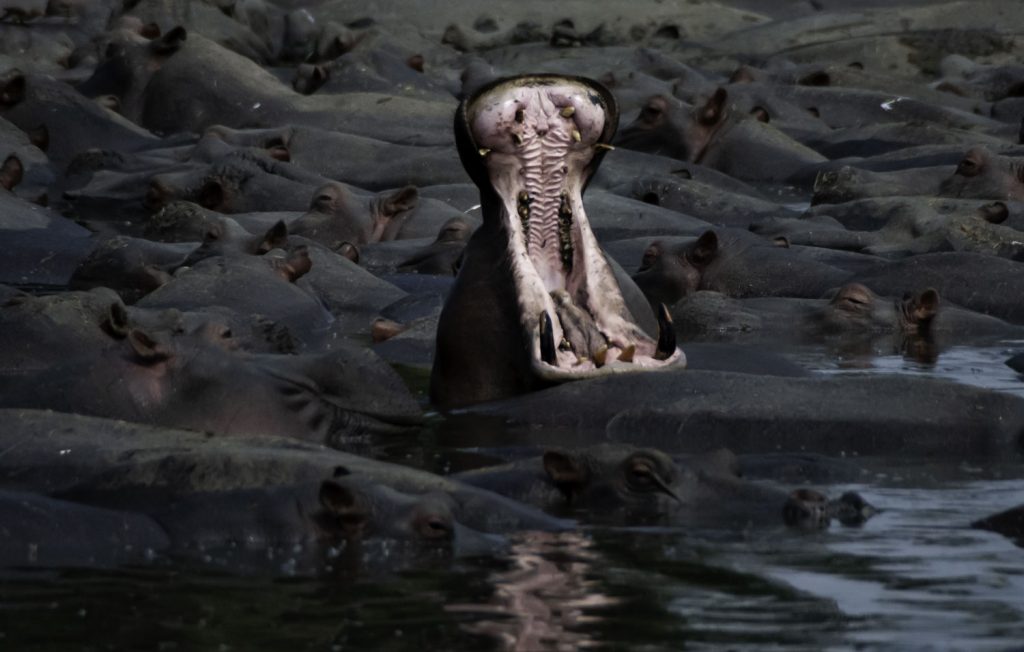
x,y
531,145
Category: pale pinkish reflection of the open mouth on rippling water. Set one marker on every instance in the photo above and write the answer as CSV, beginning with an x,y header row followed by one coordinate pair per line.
x,y
540,603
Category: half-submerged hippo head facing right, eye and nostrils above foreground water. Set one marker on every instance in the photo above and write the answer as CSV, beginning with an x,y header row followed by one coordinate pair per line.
x,y
616,484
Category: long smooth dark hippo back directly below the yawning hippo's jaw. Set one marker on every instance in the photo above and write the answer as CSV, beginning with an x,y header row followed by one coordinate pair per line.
x,y
751,413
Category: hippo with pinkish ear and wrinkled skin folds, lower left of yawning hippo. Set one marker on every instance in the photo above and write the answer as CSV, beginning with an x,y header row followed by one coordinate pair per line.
x,y
192,382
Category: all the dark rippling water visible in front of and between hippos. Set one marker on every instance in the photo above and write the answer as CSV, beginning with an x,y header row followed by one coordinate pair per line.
x,y
914,578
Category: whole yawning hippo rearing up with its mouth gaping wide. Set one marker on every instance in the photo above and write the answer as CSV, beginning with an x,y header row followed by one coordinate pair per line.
x,y
536,301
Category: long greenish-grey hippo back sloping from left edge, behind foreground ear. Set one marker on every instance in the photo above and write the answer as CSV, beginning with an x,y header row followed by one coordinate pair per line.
x,y
144,469
